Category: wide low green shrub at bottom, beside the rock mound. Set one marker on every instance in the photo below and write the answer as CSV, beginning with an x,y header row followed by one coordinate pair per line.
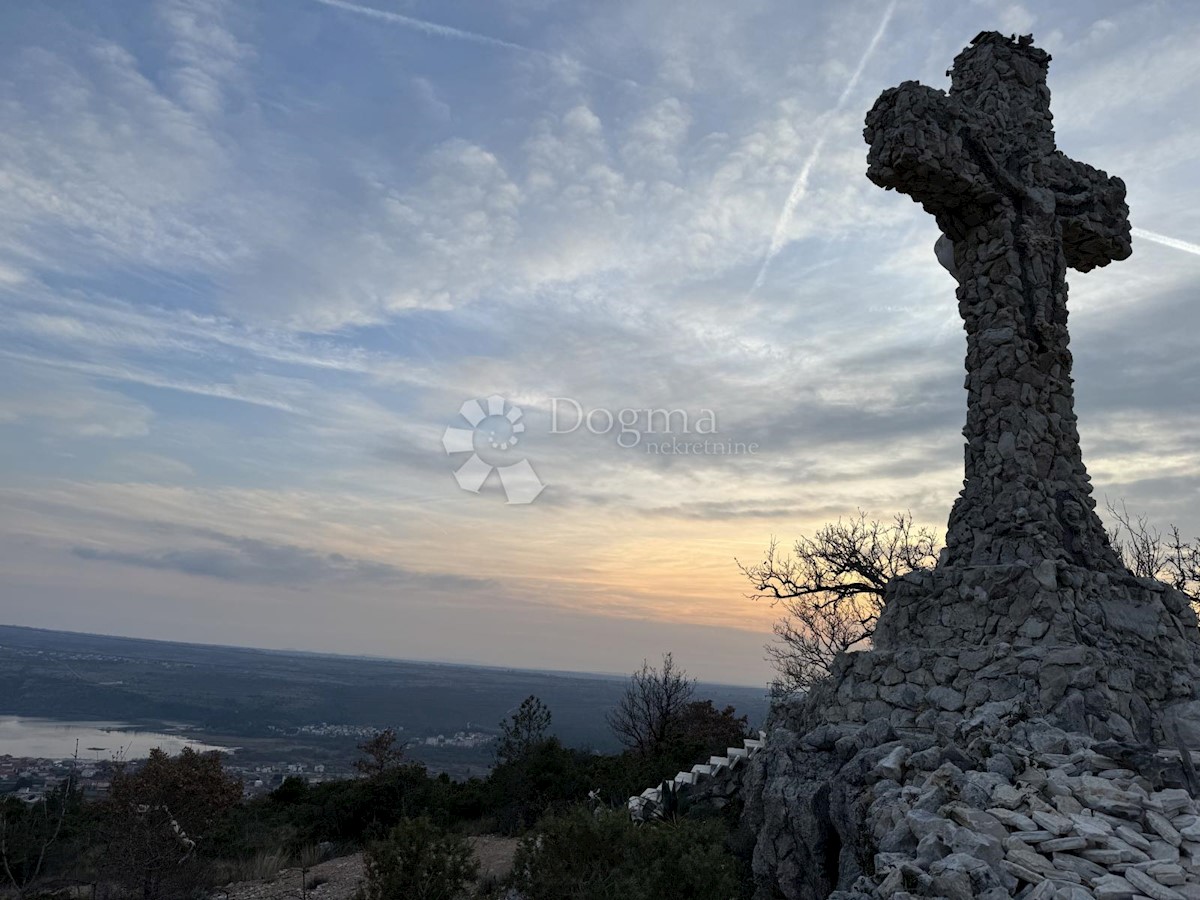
x,y
603,856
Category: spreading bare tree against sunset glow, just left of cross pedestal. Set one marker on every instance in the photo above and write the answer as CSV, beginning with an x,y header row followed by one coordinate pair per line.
x,y
832,587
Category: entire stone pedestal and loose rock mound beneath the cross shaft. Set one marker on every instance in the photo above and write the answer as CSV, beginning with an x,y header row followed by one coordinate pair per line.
x,y
1039,746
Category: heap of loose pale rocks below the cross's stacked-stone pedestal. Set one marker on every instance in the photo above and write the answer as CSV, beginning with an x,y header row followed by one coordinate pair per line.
x,y
997,807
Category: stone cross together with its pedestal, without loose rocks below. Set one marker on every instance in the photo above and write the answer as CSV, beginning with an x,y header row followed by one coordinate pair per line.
x,y
1028,562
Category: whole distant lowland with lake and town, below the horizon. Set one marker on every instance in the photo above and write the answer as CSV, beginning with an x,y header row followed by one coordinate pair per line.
x,y
273,715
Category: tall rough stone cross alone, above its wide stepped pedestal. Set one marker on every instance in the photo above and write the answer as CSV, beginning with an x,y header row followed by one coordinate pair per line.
x,y
1017,213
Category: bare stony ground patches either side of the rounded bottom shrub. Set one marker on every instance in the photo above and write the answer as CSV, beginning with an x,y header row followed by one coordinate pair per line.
x,y
340,879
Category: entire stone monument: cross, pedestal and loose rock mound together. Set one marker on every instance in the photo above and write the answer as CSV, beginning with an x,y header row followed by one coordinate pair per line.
x,y
1011,734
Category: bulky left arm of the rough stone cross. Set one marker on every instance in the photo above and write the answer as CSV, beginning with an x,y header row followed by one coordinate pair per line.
x,y
921,147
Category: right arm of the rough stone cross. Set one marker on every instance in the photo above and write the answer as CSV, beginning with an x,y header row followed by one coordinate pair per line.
x,y
1091,206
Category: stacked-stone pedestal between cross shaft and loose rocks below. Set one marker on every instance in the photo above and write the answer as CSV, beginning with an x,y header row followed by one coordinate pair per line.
x,y
1095,653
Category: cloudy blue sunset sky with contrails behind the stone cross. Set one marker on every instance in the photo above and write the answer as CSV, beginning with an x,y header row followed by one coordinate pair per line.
x,y
260,261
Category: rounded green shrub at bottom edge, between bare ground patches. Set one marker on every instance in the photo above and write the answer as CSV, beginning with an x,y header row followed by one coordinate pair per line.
x,y
418,861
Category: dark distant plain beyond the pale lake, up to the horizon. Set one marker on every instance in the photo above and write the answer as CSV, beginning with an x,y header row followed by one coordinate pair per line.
x,y
261,701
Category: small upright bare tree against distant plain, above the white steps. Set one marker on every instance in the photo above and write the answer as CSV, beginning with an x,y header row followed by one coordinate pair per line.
x,y
650,716
